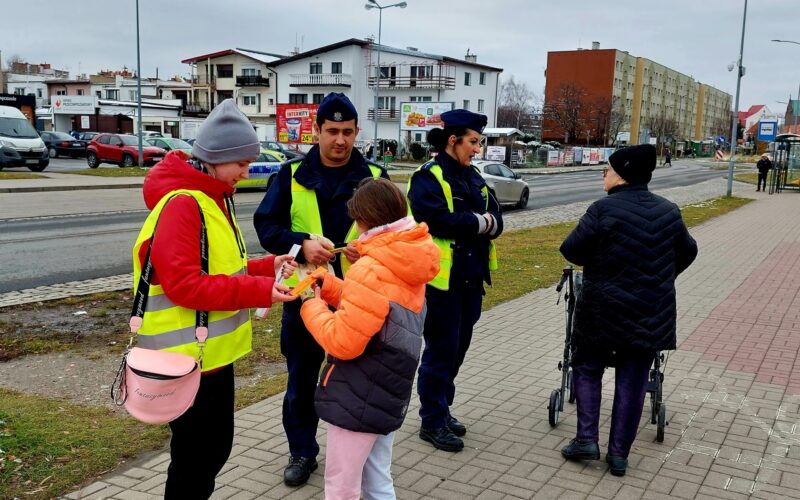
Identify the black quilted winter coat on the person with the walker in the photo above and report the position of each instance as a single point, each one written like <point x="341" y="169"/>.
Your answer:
<point x="632" y="245"/>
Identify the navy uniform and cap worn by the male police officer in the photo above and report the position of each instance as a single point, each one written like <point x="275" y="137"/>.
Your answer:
<point x="272" y="220"/>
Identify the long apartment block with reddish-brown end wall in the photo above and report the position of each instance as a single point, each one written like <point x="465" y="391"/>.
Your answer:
<point x="641" y="94"/>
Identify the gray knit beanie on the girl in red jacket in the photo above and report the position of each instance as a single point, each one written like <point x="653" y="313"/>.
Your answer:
<point x="226" y="136"/>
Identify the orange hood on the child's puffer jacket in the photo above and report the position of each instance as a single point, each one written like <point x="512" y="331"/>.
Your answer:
<point x="395" y="249"/>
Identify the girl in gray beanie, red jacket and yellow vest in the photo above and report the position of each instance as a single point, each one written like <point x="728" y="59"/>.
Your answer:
<point x="190" y="198"/>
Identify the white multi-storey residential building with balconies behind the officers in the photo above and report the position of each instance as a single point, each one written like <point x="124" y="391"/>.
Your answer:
<point x="350" y="67"/>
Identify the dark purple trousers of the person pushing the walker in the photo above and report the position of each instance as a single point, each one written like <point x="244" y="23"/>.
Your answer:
<point x="630" y="386"/>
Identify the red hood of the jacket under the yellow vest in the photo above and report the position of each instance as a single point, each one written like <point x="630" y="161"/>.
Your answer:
<point x="175" y="172"/>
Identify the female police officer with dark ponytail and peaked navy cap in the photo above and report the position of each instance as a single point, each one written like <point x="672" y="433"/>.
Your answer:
<point x="463" y="217"/>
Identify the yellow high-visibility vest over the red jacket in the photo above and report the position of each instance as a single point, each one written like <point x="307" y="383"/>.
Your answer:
<point x="169" y="327"/>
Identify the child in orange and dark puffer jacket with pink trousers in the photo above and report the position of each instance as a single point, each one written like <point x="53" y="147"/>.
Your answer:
<point x="373" y="340"/>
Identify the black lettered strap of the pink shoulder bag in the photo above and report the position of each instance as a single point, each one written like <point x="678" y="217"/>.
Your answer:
<point x="143" y="289"/>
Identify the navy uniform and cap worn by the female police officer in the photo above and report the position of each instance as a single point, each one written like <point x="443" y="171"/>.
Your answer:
<point x="452" y="313"/>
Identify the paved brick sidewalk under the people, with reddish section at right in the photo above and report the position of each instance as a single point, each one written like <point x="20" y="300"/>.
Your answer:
<point x="731" y="392"/>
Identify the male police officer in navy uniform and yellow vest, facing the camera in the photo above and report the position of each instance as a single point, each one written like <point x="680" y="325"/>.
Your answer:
<point x="307" y="200"/>
